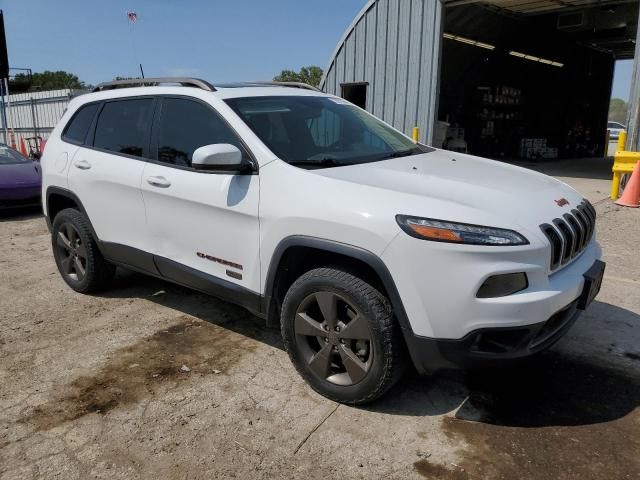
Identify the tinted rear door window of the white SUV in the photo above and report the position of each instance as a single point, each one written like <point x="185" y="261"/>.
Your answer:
<point x="123" y="126"/>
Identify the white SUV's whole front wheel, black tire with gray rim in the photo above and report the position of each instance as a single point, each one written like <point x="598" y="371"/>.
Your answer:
<point x="382" y="358"/>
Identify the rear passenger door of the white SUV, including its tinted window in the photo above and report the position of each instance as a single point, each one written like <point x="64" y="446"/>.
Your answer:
<point x="106" y="170"/>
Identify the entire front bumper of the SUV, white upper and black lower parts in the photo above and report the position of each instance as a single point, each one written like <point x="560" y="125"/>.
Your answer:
<point x="447" y="325"/>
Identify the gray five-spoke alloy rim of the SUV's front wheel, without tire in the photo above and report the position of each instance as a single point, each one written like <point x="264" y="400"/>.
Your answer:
<point x="334" y="338"/>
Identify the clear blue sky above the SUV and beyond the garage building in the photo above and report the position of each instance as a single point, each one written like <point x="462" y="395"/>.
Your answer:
<point x="219" y="40"/>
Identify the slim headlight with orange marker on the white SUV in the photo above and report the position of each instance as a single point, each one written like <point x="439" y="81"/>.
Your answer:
<point x="443" y="231"/>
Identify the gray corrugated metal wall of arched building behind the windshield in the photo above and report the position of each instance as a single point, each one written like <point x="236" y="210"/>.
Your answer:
<point x="394" y="46"/>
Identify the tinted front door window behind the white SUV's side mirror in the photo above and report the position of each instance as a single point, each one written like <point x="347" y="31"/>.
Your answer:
<point x="186" y="125"/>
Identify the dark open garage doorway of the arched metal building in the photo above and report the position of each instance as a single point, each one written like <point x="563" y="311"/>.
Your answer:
<point x="531" y="78"/>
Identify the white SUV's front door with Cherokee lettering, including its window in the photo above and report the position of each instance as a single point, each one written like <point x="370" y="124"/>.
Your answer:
<point x="204" y="221"/>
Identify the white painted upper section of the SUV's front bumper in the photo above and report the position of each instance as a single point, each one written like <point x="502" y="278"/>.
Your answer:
<point x="438" y="282"/>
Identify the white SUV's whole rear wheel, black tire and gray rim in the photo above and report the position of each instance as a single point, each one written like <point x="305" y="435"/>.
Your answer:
<point x="77" y="256"/>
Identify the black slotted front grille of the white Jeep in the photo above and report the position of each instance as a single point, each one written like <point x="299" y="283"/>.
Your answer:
<point x="570" y="234"/>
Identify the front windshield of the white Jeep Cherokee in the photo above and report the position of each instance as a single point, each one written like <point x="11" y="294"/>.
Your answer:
<point x="320" y="132"/>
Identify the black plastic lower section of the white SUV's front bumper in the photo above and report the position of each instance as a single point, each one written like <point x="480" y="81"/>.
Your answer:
<point x="491" y="346"/>
